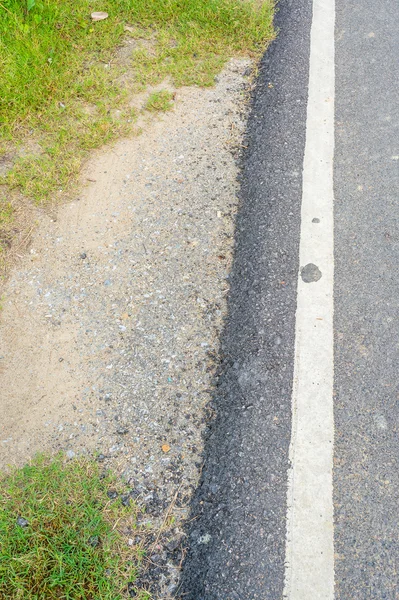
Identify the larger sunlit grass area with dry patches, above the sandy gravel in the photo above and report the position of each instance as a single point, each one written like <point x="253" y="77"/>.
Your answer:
<point x="64" y="89"/>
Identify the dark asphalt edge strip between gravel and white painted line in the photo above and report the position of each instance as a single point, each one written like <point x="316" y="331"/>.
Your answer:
<point x="237" y="537"/>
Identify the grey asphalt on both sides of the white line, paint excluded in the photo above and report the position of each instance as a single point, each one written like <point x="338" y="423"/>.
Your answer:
<point x="238" y="536"/>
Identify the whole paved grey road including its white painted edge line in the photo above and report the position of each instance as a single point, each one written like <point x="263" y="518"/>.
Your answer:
<point x="299" y="496"/>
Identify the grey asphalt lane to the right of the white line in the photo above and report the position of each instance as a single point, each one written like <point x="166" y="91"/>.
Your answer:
<point x="367" y="301"/>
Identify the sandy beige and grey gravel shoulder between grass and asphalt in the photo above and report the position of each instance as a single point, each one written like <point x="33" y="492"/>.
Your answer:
<point x="109" y="327"/>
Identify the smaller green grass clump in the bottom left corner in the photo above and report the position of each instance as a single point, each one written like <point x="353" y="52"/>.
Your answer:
<point x="59" y="536"/>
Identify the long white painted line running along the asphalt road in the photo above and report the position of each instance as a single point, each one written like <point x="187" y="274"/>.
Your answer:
<point x="309" y="550"/>
